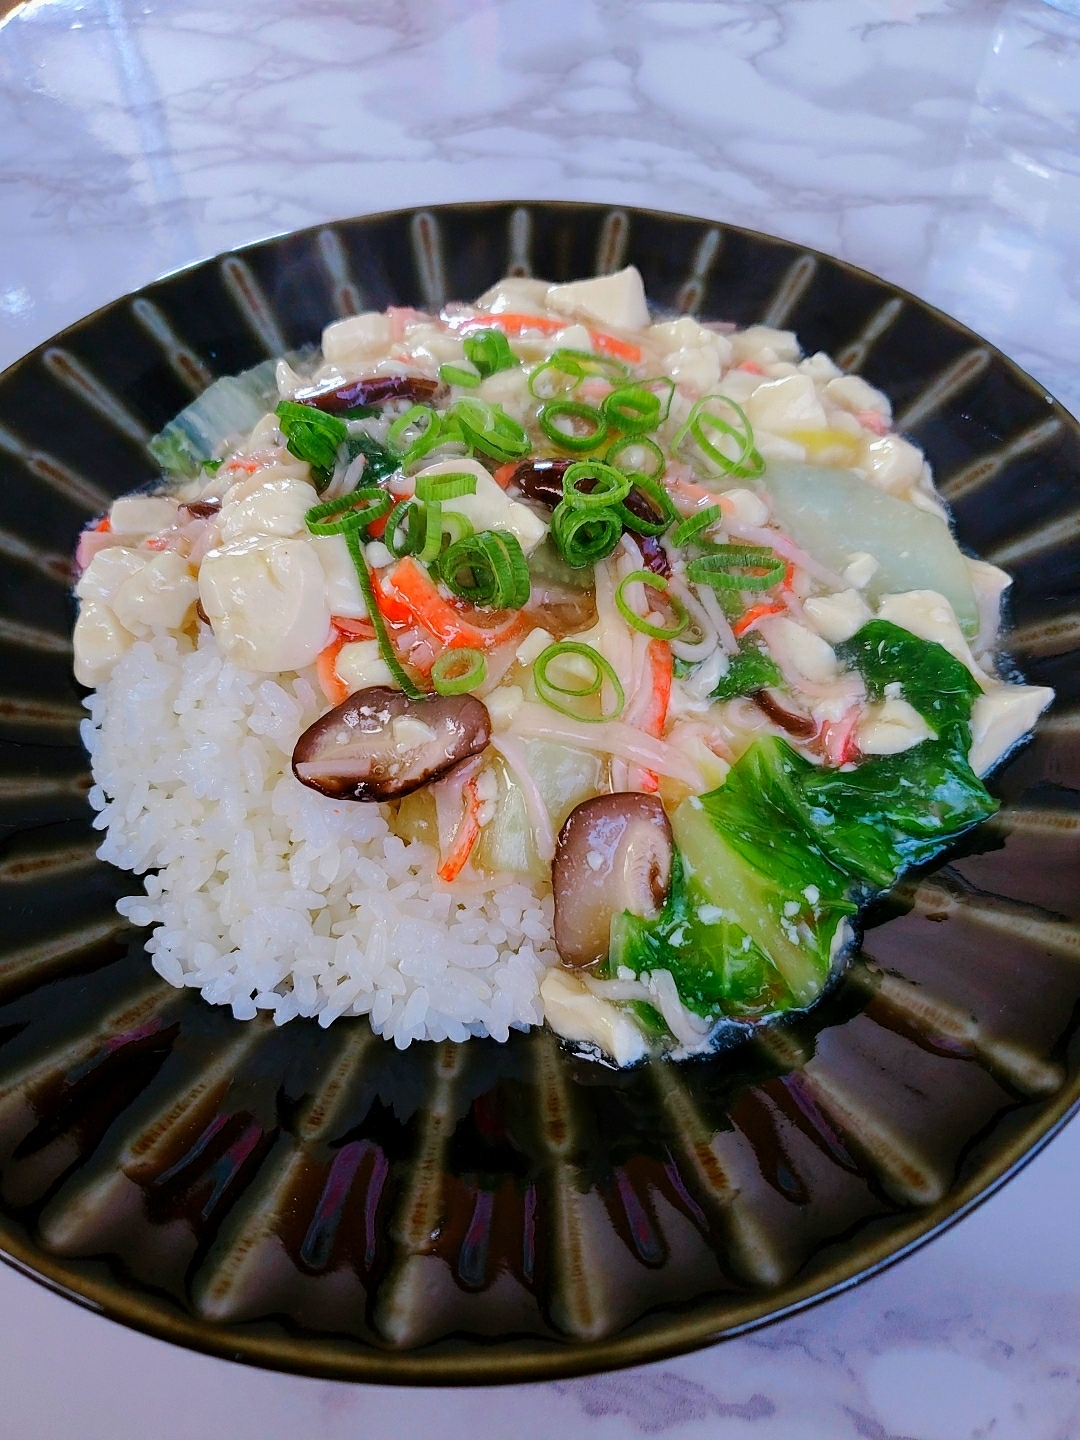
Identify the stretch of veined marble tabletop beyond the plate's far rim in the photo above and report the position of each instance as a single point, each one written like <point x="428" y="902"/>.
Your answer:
<point x="934" y="143"/>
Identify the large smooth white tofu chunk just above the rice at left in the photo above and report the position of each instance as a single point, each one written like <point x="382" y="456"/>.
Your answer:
<point x="266" y="598"/>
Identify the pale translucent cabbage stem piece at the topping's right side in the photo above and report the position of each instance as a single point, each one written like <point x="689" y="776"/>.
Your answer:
<point x="833" y="515"/>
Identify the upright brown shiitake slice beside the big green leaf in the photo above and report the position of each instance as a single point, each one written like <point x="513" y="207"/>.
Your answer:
<point x="614" y="855"/>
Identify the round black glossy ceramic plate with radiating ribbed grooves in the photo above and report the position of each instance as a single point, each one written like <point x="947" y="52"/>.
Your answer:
<point x="318" y="1202"/>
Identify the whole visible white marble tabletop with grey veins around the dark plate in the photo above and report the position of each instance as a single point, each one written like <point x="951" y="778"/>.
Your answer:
<point x="935" y="142"/>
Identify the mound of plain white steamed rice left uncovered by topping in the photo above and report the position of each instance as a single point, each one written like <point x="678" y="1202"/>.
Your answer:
<point x="270" y="896"/>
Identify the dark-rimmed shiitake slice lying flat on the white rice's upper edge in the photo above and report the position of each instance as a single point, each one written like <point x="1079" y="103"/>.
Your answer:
<point x="381" y="745"/>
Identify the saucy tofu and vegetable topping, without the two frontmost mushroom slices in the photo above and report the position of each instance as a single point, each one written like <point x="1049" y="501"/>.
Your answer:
<point x="761" y="518"/>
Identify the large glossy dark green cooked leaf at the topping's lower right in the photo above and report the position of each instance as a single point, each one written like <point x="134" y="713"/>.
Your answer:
<point x="784" y="849"/>
